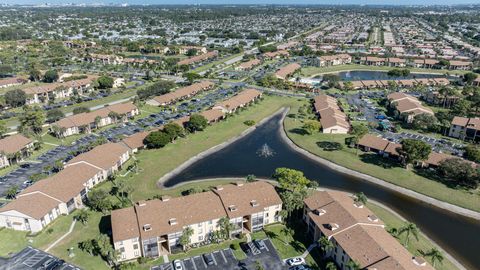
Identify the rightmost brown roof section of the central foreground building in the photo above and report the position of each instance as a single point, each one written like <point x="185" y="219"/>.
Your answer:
<point x="247" y="198"/>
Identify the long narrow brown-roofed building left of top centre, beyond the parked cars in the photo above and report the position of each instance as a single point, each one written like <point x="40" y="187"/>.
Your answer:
<point x="179" y="94"/>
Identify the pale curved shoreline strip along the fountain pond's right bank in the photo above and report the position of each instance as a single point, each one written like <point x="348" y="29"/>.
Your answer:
<point x="404" y="191"/>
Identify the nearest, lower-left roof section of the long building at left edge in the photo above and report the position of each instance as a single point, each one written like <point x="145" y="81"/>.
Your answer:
<point x="36" y="205"/>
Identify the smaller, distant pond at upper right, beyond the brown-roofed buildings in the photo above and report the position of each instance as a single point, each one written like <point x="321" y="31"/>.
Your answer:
<point x="357" y="75"/>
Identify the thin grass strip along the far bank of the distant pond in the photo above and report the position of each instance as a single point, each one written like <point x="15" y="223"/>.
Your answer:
<point x="313" y="71"/>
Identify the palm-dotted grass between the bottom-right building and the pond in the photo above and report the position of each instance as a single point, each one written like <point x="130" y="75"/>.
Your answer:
<point x="393" y="221"/>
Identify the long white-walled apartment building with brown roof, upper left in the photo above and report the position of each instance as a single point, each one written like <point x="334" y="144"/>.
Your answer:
<point x="45" y="92"/>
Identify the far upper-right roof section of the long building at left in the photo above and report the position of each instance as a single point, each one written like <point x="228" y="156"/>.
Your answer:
<point x="104" y="156"/>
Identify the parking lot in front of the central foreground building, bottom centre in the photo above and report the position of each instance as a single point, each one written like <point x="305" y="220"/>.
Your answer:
<point x="225" y="259"/>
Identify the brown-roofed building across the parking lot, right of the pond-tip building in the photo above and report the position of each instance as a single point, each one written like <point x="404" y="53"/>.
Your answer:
<point x="407" y="106"/>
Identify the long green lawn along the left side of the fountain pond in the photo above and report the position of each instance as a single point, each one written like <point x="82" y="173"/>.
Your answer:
<point x="172" y="155"/>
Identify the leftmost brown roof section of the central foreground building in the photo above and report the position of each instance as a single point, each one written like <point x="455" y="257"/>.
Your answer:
<point x="124" y="224"/>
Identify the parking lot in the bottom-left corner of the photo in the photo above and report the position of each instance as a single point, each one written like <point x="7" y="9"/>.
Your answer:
<point x="31" y="258"/>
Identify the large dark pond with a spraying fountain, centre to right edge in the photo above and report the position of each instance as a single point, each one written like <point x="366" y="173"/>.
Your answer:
<point x="262" y="151"/>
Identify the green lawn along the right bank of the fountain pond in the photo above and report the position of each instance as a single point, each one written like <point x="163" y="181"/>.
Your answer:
<point x="376" y="166"/>
